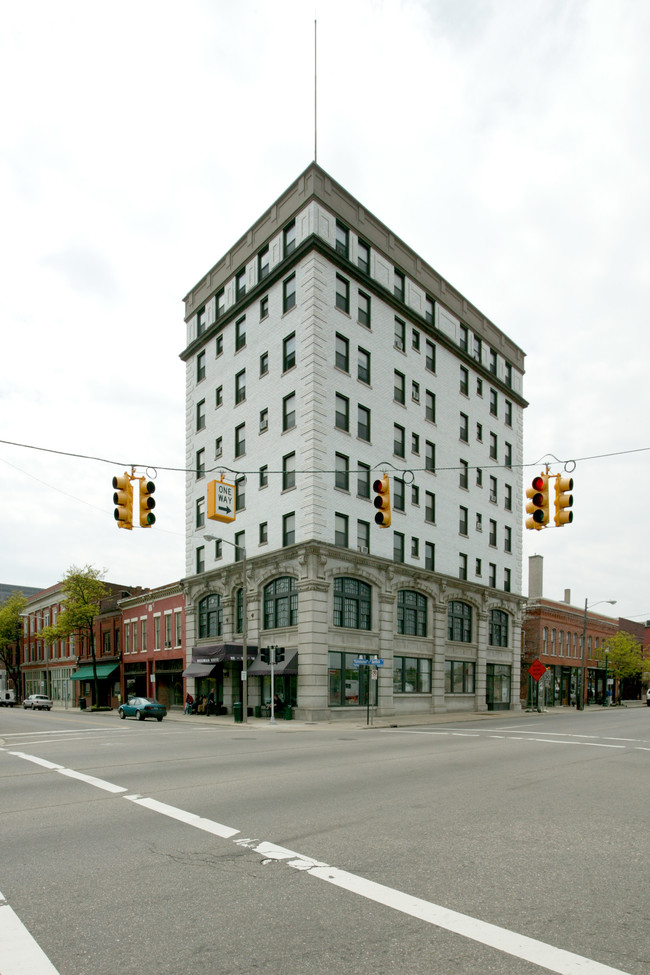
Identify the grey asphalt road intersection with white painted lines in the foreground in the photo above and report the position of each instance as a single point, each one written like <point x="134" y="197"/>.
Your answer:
<point x="514" y="845"/>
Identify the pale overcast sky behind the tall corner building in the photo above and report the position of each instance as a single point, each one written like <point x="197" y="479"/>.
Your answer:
<point x="506" y="142"/>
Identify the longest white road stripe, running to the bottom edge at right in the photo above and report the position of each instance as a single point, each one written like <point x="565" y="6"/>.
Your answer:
<point x="537" y="952"/>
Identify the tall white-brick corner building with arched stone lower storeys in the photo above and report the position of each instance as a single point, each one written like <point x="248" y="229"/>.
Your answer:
<point x="322" y="352"/>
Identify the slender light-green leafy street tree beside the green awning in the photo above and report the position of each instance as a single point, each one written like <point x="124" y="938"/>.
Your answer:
<point x="83" y="591"/>
